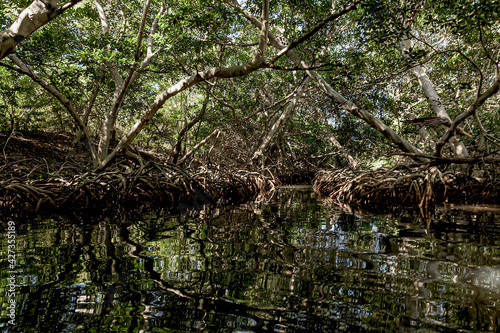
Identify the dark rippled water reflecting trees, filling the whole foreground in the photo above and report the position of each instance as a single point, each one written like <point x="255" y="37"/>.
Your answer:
<point x="295" y="264"/>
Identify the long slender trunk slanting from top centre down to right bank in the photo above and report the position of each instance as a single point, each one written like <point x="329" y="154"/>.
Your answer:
<point x="348" y="105"/>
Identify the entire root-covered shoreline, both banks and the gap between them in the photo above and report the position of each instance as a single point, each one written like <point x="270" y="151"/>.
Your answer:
<point x="43" y="172"/>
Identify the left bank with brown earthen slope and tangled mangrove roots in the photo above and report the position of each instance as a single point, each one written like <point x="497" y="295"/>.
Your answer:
<point x="42" y="173"/>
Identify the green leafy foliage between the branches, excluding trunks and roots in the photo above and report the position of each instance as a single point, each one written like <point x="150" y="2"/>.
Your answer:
<point x="359" y="55"/>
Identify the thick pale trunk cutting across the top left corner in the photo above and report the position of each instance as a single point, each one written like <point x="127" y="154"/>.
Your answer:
<point x="31" y="18"/>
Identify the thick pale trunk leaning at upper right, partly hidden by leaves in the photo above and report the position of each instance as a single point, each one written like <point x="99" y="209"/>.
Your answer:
<point x="432" y="96"/>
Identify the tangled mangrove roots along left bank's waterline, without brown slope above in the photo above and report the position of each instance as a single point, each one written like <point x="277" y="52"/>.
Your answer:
<point x="43" y="187"/>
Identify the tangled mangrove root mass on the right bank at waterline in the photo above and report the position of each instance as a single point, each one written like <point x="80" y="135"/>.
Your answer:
<point x="388" y="189"/>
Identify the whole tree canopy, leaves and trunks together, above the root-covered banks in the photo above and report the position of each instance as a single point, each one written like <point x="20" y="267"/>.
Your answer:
<point x="285" y="84"/>
